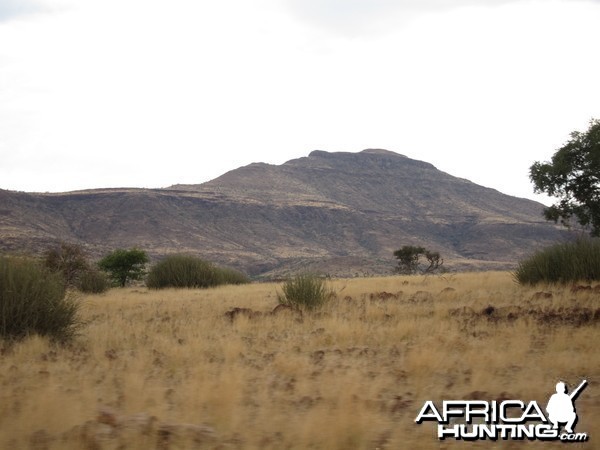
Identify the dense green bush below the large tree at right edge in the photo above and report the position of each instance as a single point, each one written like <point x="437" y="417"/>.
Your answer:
<point x="567" y="262"/>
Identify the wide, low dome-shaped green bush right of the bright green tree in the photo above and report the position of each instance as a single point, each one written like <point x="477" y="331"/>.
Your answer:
<point x="186" y="271"/>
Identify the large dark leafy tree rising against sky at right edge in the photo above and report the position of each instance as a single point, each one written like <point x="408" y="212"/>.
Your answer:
<point x="573" y="175"/>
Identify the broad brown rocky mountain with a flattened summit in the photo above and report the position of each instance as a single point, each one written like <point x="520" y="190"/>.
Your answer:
<point x="340" y="213"/>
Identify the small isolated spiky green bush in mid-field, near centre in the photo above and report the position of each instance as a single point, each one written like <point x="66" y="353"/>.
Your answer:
<point x="305" y="291"/>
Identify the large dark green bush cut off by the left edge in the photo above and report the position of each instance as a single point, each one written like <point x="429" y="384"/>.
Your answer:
<point x="33" y="301"/>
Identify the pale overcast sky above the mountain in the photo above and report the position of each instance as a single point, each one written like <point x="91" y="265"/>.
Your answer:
<point x="149" y="93"/>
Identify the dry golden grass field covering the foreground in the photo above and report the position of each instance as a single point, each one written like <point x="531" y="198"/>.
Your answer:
<point x="167" y="369"/>
